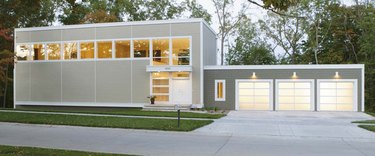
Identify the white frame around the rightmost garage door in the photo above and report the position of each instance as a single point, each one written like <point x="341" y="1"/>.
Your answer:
<point x="355" y="92"/>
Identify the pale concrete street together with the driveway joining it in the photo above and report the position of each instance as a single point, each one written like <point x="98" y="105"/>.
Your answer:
<point x="219" y="138"/>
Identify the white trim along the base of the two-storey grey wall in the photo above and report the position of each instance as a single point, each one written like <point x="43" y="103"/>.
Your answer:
<point x="89" y="104"/>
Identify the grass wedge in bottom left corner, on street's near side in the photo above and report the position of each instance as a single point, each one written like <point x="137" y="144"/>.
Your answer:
<point x="33" y="151"/>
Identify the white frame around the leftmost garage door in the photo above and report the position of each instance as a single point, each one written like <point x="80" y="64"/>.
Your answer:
<point x="237" y="107"/>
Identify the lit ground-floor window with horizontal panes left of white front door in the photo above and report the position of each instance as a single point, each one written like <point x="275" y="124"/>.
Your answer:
<point x="160" y="86"/>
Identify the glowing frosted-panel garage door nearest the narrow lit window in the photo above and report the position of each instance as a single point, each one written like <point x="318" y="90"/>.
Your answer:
<point x="254" y="95"/>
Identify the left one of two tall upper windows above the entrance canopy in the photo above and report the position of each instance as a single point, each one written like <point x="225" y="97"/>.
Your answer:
<point x="160" y="51"/>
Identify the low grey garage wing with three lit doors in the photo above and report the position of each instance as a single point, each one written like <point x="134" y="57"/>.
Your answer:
<point x="287" y="87"/>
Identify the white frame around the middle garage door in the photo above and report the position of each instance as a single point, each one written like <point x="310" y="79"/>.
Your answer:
<point x="312" y="95"/>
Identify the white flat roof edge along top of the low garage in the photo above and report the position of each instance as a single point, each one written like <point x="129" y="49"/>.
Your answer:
<point x="305" y="66"/>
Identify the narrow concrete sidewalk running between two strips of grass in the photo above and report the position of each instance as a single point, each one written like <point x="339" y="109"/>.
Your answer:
<point x="105" y="115"/>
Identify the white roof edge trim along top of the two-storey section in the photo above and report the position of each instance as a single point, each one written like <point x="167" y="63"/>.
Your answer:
<point x="130" y="23"/>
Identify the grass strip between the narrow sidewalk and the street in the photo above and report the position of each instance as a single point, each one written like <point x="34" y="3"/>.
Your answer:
<point x="94" y="121"/>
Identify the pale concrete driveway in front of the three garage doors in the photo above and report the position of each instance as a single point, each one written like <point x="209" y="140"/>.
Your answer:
<point x="288" y="123"/>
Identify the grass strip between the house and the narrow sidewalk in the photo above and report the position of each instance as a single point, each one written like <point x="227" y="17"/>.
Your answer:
<point x="132" y="112"/>
